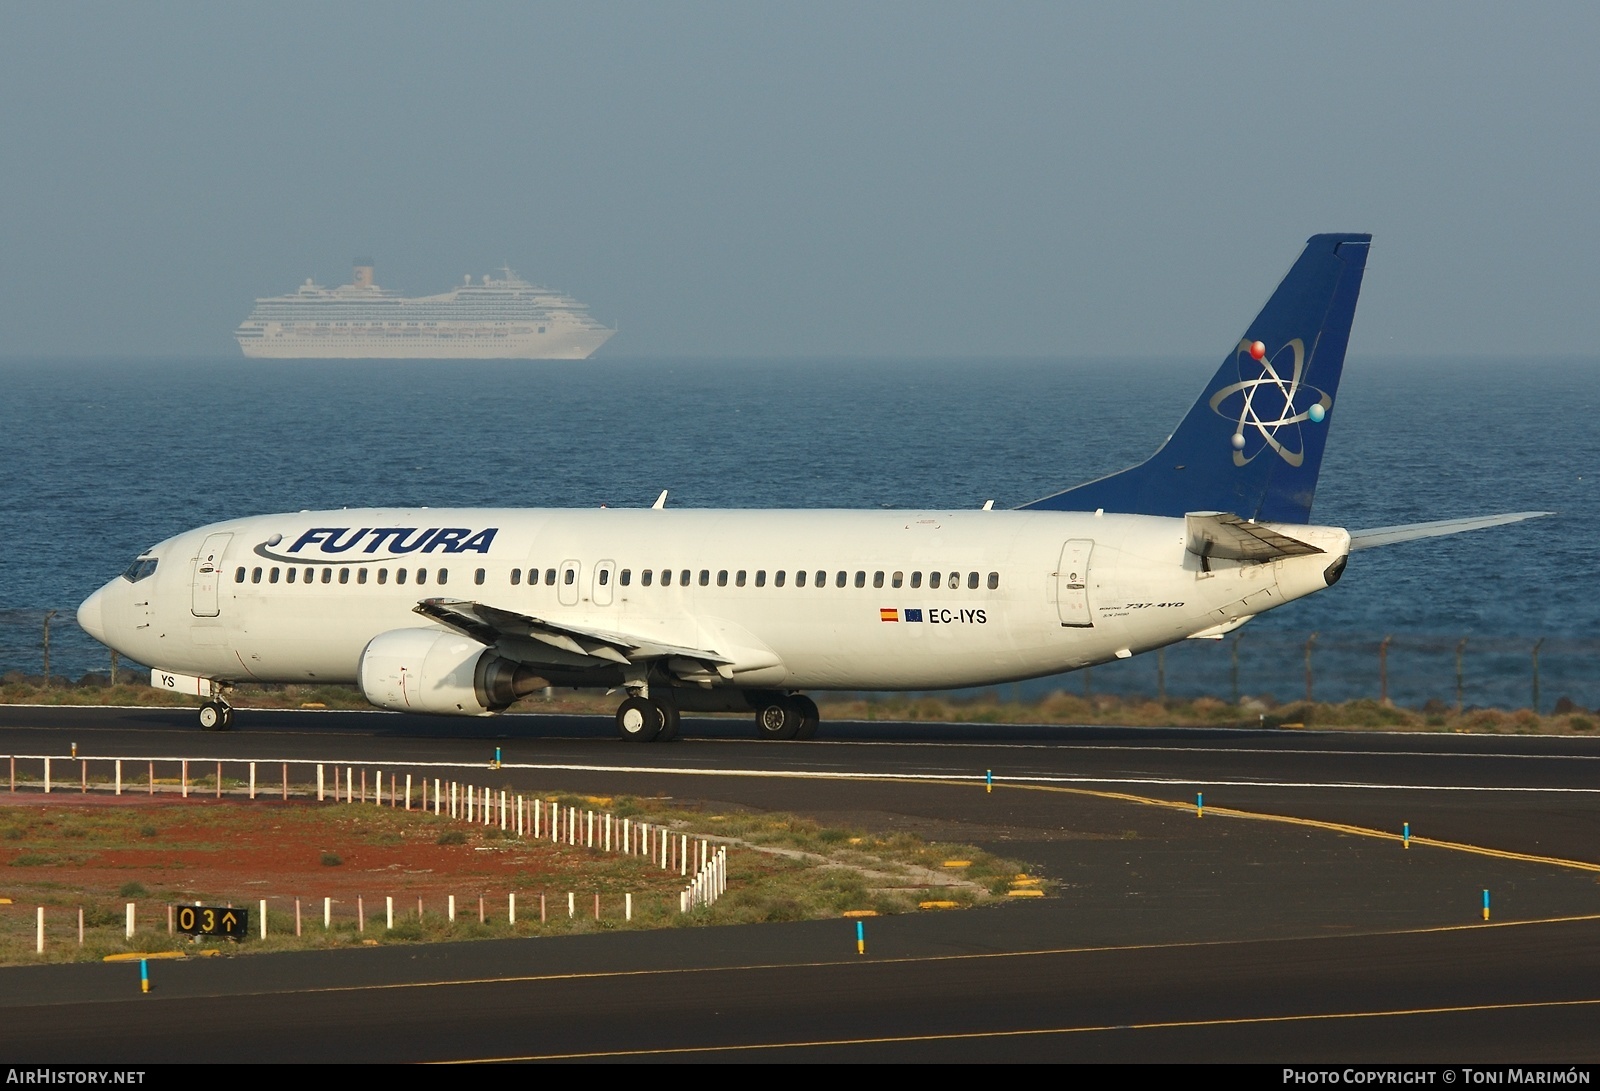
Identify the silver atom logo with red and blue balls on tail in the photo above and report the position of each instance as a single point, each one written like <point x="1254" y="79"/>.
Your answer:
<point x="1273" y="402"/>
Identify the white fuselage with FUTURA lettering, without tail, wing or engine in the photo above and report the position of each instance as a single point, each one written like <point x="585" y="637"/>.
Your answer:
<point x="222" y="602"/>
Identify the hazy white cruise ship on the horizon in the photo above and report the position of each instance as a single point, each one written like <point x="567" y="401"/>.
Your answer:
<point x="492" y="319"/>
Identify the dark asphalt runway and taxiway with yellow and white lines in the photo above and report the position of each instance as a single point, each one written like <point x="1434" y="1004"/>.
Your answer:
<point x="1286" y="925"/>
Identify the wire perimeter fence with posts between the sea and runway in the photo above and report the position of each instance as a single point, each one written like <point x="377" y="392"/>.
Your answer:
<point x="1278" y="666"/>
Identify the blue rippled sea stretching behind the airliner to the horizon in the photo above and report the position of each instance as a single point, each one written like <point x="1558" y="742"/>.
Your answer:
<point x="106" y="458"/>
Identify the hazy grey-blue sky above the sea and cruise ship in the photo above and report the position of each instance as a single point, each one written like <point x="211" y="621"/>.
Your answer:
<point x="806" y="178"/>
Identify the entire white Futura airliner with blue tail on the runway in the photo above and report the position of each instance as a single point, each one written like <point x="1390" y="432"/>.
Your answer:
<point x="462" y="612"/>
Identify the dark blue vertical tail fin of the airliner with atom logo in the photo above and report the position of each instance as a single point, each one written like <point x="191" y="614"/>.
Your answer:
<point x="1252" y="446"/>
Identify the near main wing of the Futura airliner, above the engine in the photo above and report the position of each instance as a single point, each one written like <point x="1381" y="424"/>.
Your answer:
<point x="492" y="625"/>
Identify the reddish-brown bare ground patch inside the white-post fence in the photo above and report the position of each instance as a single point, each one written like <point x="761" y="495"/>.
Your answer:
<point x="201" y="849"/>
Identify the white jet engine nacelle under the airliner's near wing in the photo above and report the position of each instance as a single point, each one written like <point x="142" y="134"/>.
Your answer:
<point x="441" y="673"/>
